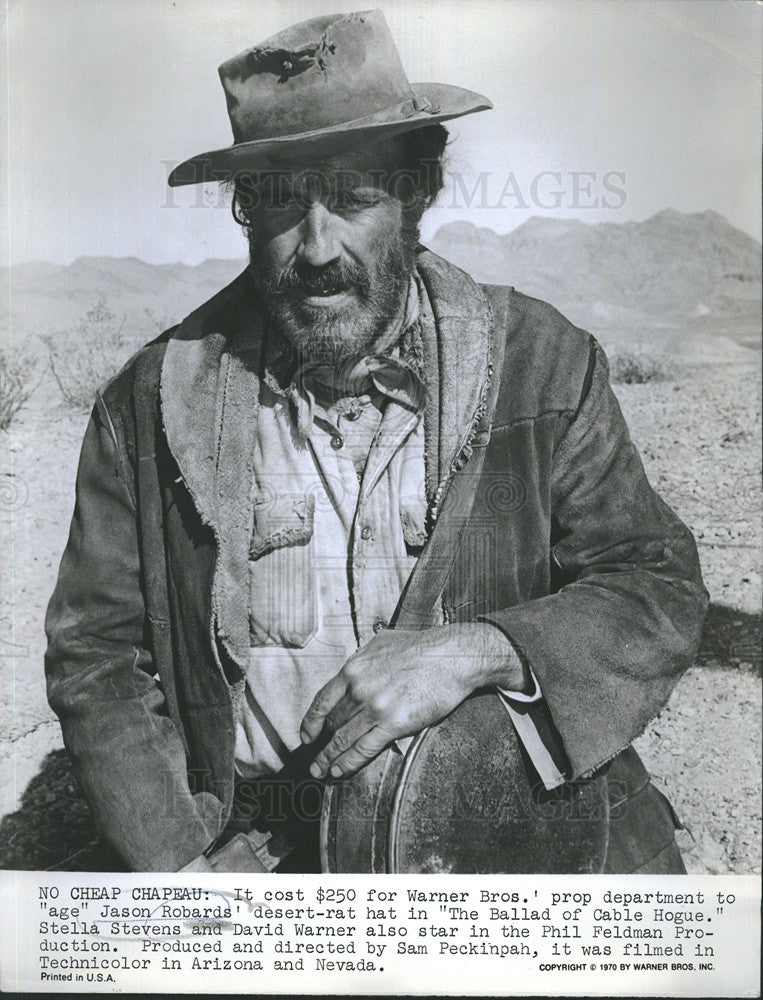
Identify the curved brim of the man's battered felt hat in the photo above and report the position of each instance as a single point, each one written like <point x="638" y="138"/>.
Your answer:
<point x="446" y="103"/>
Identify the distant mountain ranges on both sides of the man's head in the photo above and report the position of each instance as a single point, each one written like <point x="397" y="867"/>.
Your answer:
<point x="670" y="269"/>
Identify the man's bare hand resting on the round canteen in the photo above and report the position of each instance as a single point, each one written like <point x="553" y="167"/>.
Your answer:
<point x="402" y="682"/>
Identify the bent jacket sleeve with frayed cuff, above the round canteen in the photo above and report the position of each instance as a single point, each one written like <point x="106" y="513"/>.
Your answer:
<point x="611" y="643"/>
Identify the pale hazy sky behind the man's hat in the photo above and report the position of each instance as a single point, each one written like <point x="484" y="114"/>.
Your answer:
<point x="102" y="92"/>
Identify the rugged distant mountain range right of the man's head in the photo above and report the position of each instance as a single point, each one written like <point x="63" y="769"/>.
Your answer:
<point x="671" y="265"/>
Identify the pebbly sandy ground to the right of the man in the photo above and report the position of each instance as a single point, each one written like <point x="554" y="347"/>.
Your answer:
<point x="700" y="440"/>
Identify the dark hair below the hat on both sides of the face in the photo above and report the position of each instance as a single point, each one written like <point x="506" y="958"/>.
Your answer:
<point x="416" y="159"/>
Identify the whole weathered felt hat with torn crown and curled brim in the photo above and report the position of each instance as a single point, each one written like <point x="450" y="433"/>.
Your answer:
<point x="303" y="93"/>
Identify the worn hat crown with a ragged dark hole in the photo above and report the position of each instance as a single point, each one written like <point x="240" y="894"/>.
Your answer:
<point x="314" y="75"/>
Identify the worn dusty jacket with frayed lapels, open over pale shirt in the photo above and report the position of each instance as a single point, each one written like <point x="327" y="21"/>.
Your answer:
<point x="591" y="575"/>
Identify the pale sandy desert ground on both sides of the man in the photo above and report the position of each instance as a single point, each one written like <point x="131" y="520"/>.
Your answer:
<point x="698" y="428"/>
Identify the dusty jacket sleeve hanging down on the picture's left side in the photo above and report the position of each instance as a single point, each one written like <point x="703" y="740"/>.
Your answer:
<point x="125" y="750"/>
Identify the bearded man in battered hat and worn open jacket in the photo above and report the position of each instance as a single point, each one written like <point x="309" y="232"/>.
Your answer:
<point x="258" y="488"/>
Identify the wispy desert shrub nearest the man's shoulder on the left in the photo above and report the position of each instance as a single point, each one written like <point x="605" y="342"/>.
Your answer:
<point x="83" y="359"/>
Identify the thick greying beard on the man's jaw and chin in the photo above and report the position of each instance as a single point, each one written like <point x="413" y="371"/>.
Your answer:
<point x="345" y="333"/>
